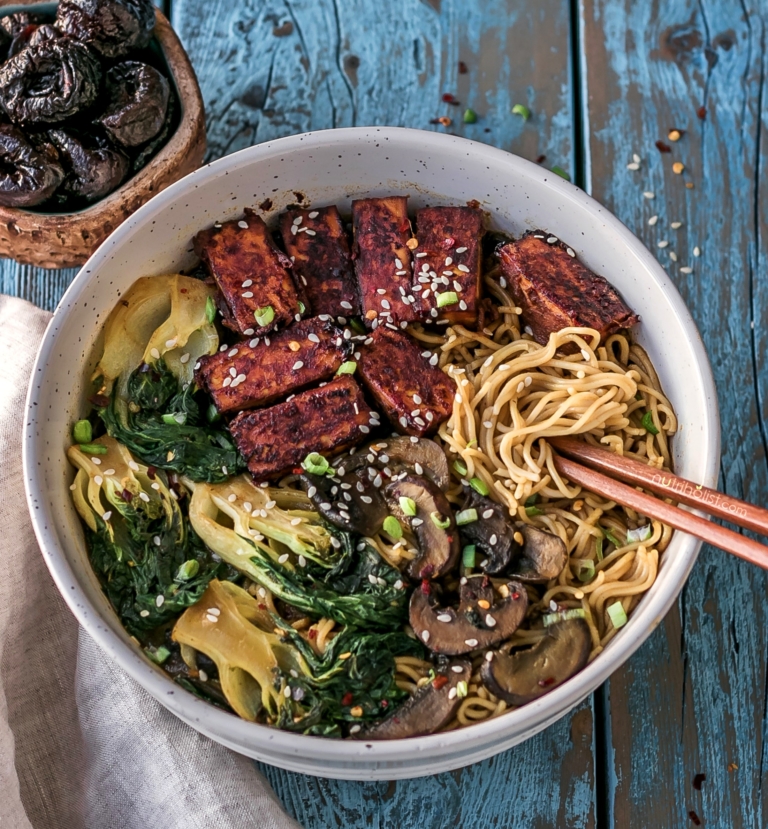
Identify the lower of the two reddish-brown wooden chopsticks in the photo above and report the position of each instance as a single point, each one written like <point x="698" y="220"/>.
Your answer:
<point x="669" y="514"/>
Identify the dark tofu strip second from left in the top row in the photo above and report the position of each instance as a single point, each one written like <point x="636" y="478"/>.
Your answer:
<point x="322" y="263"/>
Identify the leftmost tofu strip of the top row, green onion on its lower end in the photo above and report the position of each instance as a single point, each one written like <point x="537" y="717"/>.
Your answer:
<point x="251" y="274"/>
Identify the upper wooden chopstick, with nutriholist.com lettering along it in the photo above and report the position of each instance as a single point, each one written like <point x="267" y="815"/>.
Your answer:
<point x="666" y="484"/>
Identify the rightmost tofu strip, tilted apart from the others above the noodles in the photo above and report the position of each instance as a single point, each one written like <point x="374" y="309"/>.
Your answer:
<point x="556" y="291"/>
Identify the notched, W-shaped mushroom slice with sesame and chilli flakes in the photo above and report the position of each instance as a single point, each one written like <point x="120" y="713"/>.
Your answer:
<point x="478" y="623"/>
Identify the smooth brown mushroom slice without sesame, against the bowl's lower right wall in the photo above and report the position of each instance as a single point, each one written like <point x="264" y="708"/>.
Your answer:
<point x="527" y="675"/>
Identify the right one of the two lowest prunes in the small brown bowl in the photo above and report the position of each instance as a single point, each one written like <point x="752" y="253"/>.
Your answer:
<point x="93" y="167"/>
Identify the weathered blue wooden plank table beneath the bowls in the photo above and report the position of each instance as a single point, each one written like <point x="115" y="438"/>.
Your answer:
<point x="604" y="80"/>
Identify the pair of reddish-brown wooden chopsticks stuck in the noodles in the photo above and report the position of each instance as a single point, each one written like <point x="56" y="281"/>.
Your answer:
<point x="666" y="484"/>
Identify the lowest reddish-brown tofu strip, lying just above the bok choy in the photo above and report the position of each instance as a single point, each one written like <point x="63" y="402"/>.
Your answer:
<point x="326" y="420"/>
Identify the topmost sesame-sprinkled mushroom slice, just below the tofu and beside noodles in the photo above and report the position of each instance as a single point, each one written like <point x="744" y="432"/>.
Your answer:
<point x="420" y="456"/>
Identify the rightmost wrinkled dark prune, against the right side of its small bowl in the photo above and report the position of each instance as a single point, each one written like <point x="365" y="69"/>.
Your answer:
<point x="138" y="102"/>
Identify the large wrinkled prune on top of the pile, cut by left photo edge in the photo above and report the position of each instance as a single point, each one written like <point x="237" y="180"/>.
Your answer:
<point x="49" y="82"/>
